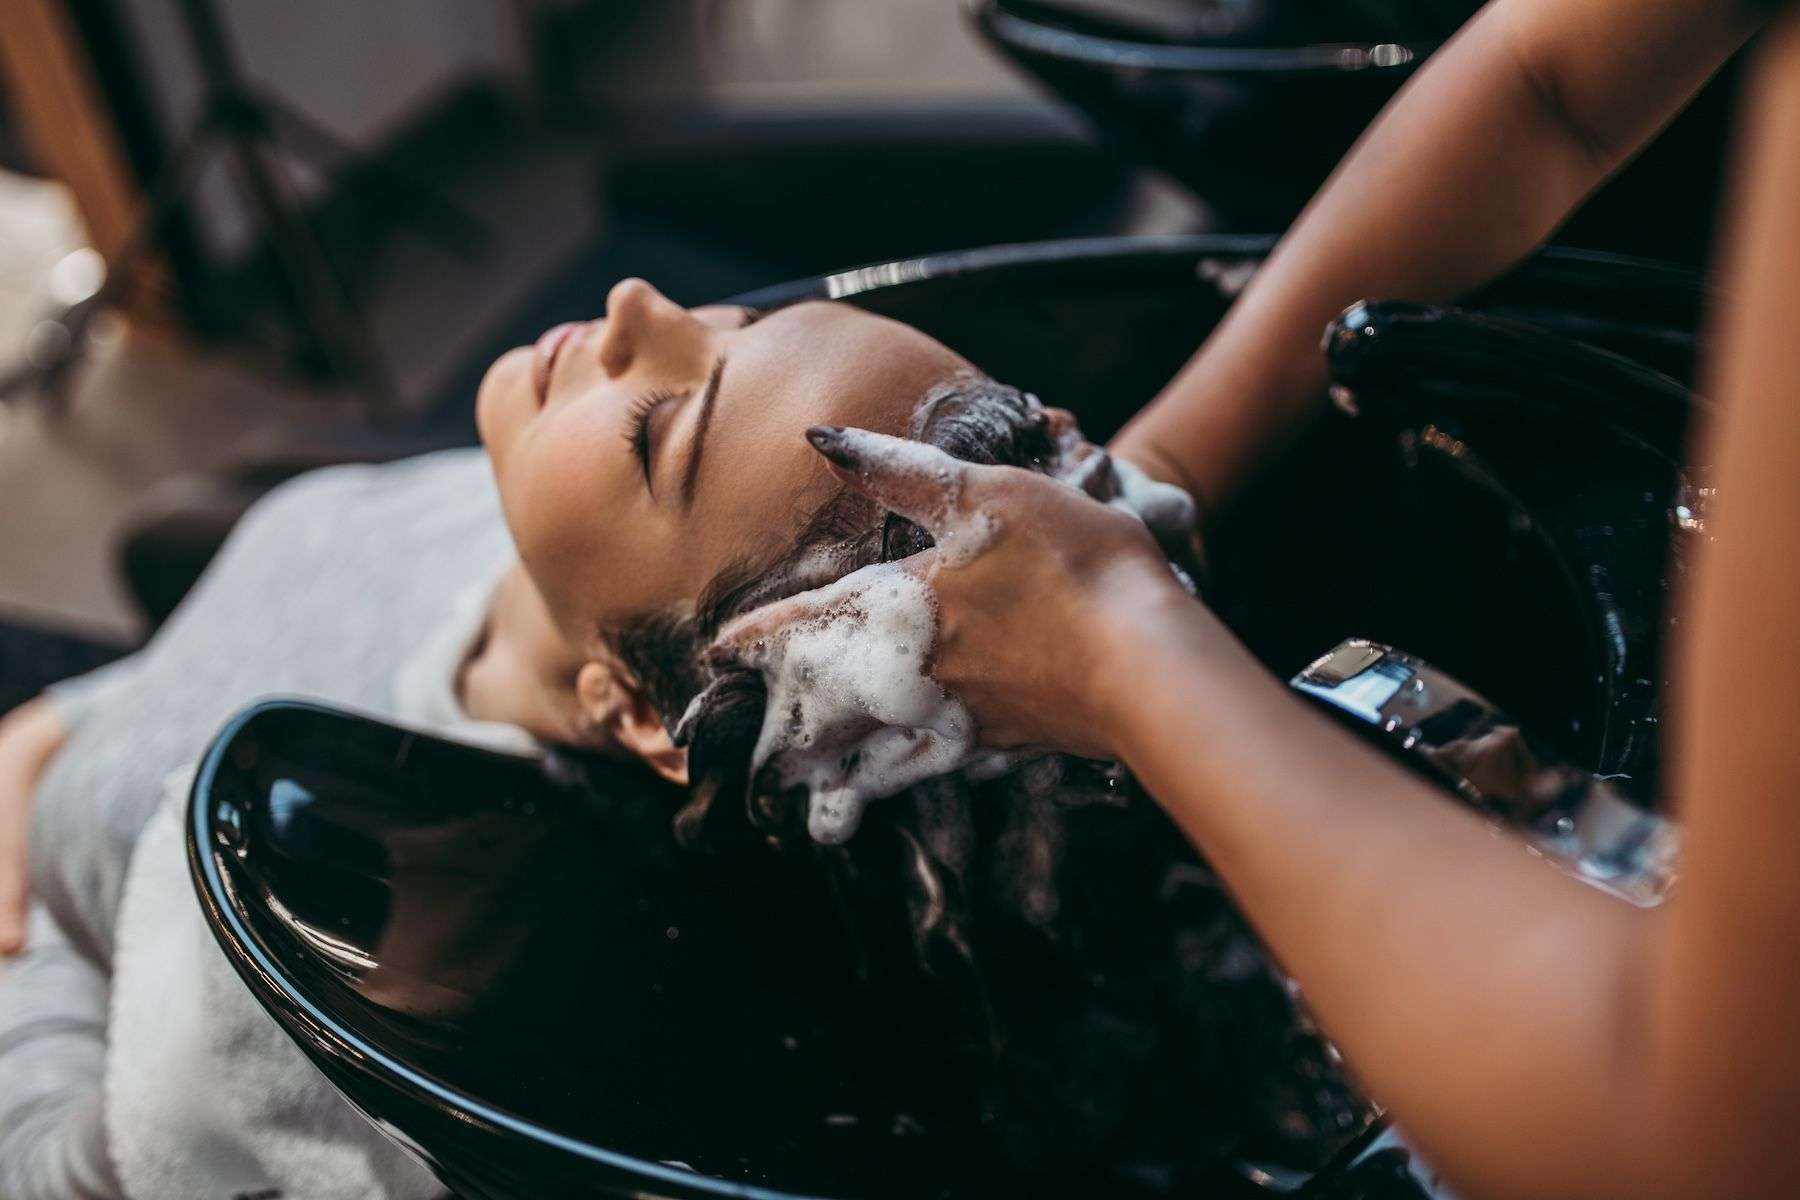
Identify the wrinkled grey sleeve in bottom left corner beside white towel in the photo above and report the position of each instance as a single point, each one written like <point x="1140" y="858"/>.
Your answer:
<point x="53" y="1053"/>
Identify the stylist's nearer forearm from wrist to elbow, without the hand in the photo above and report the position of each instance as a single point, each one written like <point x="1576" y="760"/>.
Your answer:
<point x="1414" y="929"/>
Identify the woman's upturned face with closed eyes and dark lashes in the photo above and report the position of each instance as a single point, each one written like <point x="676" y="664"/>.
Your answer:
<point x="642" y="454"/>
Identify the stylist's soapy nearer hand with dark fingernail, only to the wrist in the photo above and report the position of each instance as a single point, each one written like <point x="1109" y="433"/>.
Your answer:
<point x="1032" y="578"/>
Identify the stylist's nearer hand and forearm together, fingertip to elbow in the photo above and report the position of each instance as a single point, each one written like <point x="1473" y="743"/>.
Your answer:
<point x="1482" y="996"/>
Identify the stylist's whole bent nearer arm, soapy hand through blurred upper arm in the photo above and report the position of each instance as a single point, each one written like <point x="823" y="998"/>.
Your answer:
<point x="1534" y="1037"/>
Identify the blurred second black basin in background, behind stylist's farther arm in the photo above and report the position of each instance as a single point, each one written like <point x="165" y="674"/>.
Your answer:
<point x="1252" y="103"/>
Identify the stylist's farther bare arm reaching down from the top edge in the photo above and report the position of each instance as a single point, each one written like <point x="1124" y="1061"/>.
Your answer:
<point x="1477" y="163"/>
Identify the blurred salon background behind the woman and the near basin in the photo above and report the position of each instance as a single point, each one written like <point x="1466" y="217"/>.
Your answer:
<point x="242" y="238"/>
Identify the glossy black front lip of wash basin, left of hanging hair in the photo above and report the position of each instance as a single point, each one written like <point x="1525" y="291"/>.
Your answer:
<point x="516" y="969"/>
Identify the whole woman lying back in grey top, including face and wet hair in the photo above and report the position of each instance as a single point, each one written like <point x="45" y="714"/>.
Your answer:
<point x="1070" y="956"/>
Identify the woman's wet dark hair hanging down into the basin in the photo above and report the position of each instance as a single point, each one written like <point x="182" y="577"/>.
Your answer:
<point x="1050" y="929"/>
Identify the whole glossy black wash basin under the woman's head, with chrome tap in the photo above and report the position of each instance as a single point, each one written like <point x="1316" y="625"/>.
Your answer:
<point x="591" y="1014"/>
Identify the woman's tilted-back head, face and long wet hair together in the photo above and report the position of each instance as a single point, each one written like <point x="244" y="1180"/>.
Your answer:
<point x="1083" y="969"/>
